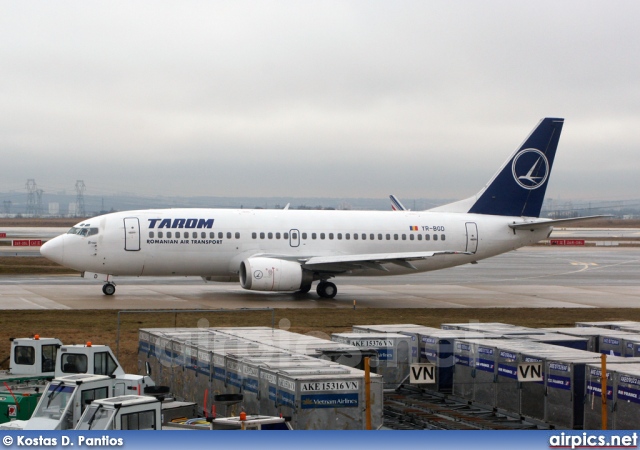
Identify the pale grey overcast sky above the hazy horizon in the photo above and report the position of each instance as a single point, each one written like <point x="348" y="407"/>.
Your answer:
<point x="423" y="99"/>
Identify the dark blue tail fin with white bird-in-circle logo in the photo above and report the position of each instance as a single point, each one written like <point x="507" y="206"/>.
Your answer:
<point x="518" y="188"/>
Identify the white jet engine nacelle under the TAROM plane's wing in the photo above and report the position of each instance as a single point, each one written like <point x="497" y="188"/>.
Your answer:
<point x="271" y="274"/>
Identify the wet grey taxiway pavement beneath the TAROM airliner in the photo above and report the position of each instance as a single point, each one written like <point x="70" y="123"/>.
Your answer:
<point x="543" y="277"/>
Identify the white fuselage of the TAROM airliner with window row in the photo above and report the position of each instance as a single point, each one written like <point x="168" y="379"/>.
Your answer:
<point x="214" y="242"/>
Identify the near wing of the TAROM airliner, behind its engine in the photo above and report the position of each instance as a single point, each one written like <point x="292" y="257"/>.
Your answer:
<point x="341" y="263"/>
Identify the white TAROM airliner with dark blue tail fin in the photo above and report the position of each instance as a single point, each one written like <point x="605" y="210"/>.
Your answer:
<point x="288" y="250"/>
